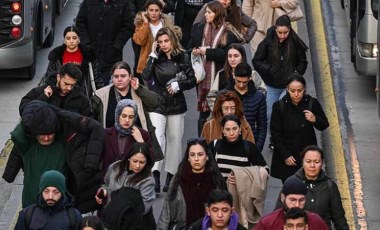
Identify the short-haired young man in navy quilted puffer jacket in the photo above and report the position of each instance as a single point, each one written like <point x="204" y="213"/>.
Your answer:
<point x="253" y="100"/>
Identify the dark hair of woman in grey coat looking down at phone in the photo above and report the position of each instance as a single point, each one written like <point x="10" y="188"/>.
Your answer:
<point x="137" y="147"/>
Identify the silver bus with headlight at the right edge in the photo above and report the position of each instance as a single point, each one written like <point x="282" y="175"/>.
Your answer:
<point x="361" y="16"/>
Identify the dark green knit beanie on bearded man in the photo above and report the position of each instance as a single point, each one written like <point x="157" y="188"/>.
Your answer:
<point x="53" y="178"/>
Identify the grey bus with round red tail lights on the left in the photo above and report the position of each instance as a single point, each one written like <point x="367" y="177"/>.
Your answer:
<point x="26" y="25"/>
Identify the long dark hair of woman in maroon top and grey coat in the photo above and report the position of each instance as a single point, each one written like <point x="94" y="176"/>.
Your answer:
<point x="211" y="167"/>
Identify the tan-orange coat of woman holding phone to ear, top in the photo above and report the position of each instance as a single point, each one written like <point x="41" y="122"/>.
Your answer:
<point x="144" y="38"/>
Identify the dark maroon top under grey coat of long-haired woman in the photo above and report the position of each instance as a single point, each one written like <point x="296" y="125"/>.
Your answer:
<point x="195" y="188"/>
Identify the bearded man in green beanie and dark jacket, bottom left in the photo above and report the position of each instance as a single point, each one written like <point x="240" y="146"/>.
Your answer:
<point x="54" y="206"/>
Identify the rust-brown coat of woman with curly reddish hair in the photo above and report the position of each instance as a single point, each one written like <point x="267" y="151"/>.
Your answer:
<point x="212" y="130"/>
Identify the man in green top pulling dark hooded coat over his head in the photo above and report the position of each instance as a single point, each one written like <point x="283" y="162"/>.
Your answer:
<point x="50" y="138"/>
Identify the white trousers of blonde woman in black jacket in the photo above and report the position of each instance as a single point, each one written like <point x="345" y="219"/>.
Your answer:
<point x="169" y="133"/>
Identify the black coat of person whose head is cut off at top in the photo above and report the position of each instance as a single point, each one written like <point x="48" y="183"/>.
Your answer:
<point x="105" y="27"/>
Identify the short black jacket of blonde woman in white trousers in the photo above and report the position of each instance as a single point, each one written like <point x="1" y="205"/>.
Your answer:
<point x="162" y="70"/>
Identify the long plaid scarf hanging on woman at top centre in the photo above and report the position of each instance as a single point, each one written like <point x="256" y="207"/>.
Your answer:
<point x="211" y="38"/>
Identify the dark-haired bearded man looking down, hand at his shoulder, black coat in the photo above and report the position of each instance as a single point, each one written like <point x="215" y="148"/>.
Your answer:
<point x="60" y="89"/>
